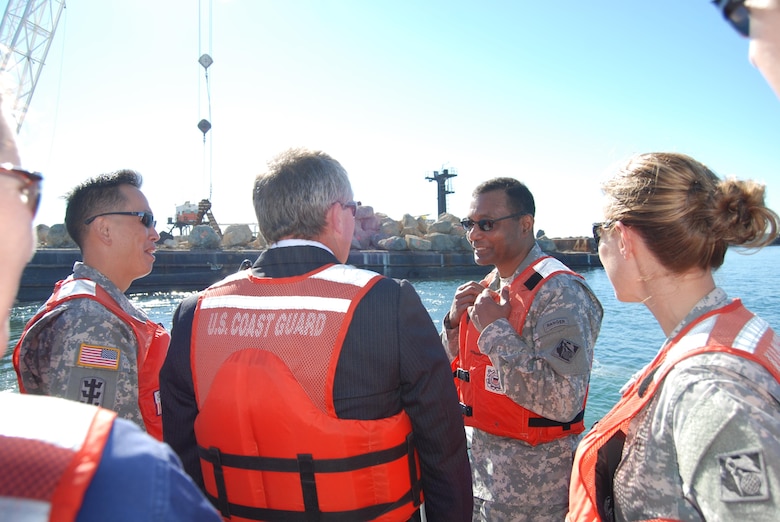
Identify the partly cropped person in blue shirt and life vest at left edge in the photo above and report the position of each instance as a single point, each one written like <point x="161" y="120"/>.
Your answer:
<point x="62" y="460"/>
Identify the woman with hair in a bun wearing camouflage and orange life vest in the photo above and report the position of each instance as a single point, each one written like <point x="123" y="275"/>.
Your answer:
<point x="696" y="434"/>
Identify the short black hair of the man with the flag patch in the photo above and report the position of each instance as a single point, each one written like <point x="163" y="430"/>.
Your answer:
<point x="94" y="196"/>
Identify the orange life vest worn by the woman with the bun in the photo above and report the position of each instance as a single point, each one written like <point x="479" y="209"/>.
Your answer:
<point x="599" y="453"/>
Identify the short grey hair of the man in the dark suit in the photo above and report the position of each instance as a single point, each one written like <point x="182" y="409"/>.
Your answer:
<point x="292" y="198"/>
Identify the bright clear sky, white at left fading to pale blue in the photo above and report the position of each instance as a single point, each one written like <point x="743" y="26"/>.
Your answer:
<point x="551" y="93"/>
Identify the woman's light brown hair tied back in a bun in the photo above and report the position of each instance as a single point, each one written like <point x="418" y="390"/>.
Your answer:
<point x="686" y="214"/>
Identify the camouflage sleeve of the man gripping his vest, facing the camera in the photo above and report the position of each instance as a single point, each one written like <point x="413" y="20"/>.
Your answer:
<point x="546" y="367"/>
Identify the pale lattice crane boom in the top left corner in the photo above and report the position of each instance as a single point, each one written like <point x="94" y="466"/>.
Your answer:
<point x="26" y="33"/>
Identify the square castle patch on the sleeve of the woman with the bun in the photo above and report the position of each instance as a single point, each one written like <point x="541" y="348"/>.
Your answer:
<point x="743" y="476"/>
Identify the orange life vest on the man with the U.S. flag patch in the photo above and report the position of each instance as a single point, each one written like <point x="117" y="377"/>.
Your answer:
<point x="151" y="337"/>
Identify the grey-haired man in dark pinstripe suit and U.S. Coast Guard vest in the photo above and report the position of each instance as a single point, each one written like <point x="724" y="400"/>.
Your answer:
<point x="307" y="385"/>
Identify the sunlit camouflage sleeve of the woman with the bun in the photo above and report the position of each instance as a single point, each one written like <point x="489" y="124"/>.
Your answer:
<point x="727" y="439"/>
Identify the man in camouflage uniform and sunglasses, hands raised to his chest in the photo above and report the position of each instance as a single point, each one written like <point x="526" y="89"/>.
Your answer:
<point x="544" y="366"/>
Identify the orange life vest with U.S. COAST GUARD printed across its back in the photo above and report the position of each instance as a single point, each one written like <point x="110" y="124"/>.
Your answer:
<point x="264" y="355"/>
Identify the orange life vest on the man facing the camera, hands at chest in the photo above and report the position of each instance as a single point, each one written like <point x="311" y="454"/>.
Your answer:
<point x="483" y="402"/>
